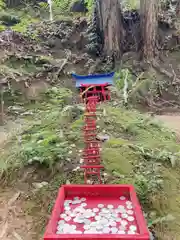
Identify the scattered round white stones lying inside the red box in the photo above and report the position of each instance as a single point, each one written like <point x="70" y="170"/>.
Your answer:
<point x="101" y="219"/>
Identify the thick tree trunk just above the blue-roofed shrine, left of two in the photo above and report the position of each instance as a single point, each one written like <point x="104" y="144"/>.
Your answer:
<point x="110" y="24"/>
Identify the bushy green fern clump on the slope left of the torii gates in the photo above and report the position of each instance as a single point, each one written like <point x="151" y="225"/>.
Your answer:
<point x="45" y="147"/>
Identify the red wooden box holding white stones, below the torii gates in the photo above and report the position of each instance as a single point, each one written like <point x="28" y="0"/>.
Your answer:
<point x="99" y="193"/>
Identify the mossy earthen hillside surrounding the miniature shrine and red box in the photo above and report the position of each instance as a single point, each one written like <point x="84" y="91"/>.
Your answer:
<point x="41" y="140"/>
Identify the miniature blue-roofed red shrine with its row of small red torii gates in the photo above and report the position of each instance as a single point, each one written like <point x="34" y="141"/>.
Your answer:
<point x="93" y="89"/>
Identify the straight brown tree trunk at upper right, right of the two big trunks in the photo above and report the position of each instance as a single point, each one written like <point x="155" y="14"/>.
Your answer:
<point x="149" y="27"/>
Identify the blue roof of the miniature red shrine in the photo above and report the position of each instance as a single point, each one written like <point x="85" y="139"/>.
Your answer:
<point x="94" y="79"/>
